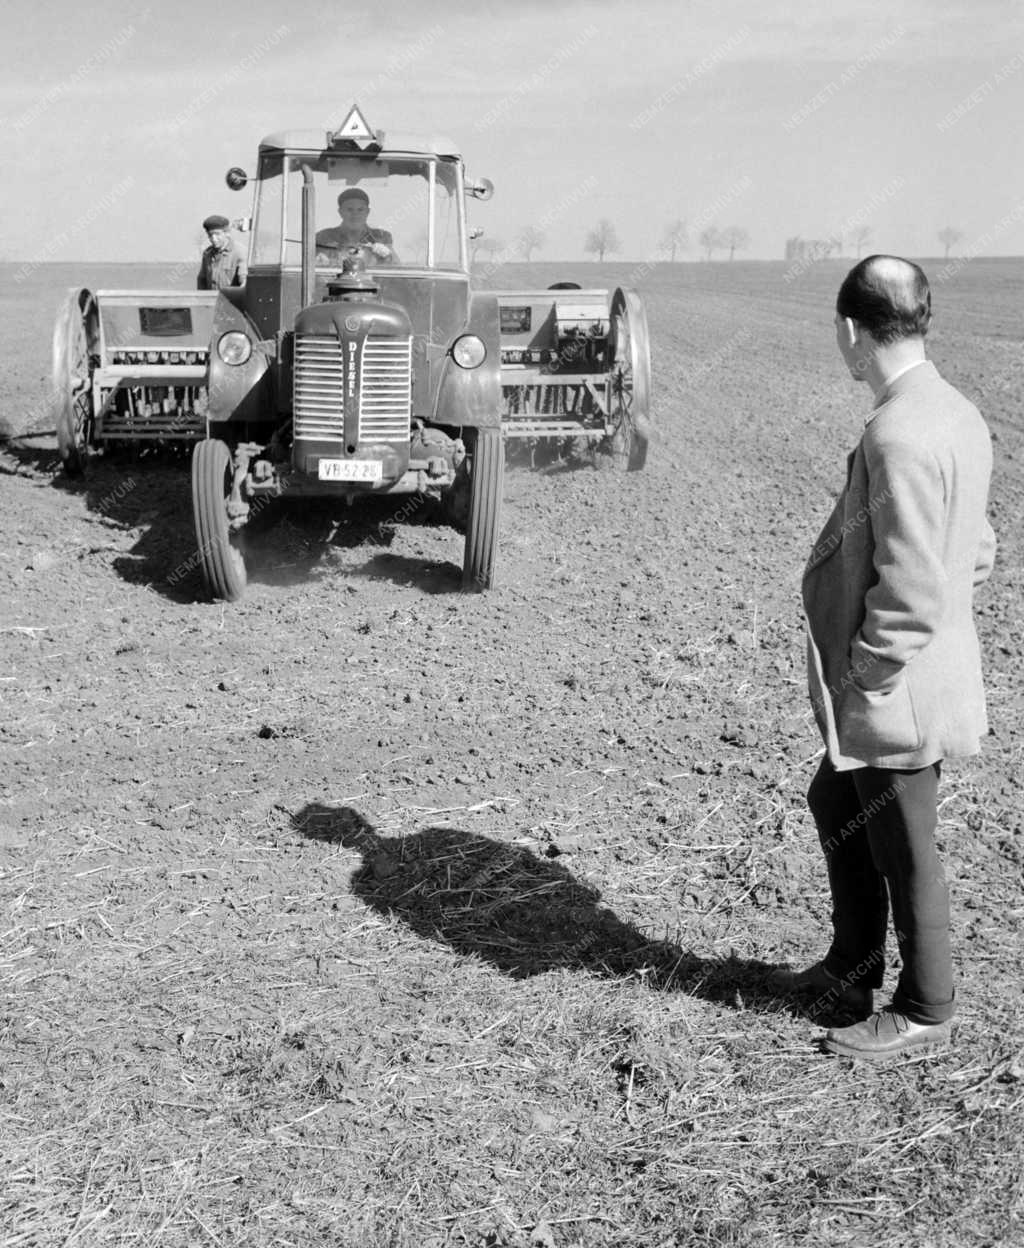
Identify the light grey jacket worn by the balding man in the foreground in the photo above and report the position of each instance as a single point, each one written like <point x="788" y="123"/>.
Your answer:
<point x="895" y="667"/>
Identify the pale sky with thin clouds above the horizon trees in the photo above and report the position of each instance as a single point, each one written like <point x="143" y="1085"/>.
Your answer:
<point x="899" y="117"/>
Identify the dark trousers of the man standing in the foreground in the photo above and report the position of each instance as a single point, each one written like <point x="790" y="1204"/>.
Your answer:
<point x="877" y="829"/>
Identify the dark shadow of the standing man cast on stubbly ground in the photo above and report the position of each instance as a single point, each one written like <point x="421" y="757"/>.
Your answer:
<point x="523" y="914"/>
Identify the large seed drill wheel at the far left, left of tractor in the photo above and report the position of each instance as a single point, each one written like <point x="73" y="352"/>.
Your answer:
<point x="77" y="354"/>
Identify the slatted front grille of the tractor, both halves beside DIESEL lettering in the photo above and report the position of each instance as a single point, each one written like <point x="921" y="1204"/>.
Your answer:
<point x="385" y="389"/>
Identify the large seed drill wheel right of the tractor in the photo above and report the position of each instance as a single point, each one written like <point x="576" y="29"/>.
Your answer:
<point x="629" y="353"/>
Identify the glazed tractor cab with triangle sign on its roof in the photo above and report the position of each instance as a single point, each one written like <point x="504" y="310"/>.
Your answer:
<point x="396" y="203"/>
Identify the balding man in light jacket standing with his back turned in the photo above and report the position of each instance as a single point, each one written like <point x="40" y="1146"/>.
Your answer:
<point x="894" y="666"/>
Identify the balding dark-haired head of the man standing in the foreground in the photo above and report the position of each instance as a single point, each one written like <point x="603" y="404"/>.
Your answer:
<point x="889" y="298"/>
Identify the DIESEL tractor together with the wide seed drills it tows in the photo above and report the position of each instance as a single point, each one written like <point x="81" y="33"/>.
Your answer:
<point x="357" y="359"/>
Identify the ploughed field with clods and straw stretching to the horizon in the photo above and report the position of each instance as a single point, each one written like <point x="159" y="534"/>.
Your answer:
<point x="367" y="913"/>
